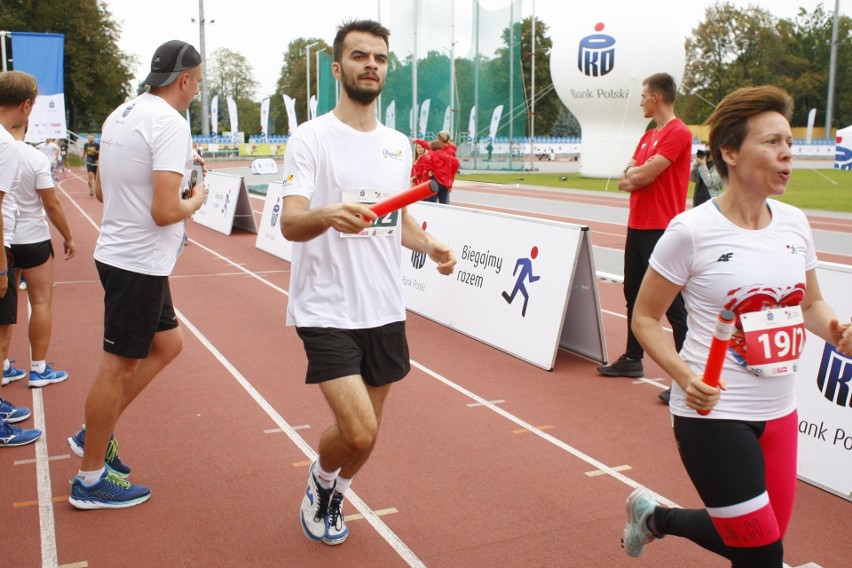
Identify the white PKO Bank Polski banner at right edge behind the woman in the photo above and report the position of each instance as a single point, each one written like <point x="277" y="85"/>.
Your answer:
<point x="823" y="386"/>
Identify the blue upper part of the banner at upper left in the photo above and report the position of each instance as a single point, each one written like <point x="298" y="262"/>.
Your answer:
<point x="43" y="56"/>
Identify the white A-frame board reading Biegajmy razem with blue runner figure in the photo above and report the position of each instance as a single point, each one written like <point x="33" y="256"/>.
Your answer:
<point x="513" y="283"/>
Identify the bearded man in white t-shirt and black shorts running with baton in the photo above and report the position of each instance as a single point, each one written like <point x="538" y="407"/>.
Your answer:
<point x="345" y="284"/>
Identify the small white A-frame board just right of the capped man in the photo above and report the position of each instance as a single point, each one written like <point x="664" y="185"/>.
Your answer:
<point x="227" y="205"/>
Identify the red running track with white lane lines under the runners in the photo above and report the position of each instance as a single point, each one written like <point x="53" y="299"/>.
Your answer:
<point x="483" y="460"/>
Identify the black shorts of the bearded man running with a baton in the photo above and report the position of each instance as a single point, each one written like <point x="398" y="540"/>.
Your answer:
<point x="379" y="354"/>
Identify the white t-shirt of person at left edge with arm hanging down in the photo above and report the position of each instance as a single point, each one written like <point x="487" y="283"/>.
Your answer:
<point x="35" y="176"/>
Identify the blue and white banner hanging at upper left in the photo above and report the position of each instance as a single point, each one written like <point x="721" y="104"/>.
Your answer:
<point x="43" y="56"/>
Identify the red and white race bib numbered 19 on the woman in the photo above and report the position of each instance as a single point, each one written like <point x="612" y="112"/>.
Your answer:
<point x="774" y="340"/>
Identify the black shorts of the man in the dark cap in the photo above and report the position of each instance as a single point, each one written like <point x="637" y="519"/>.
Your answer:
<point x="136" y="306"/>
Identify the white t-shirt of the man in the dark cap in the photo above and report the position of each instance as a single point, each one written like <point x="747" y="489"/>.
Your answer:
<point x="140" y="137"/>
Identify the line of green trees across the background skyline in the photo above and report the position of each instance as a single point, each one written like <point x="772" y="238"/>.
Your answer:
<point x="730" y="48"/>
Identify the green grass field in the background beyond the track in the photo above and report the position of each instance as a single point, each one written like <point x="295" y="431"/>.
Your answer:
<point x="824" y="190"/>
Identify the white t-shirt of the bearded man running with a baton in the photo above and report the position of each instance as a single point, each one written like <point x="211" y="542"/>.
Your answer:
<point x="337" y="281"/>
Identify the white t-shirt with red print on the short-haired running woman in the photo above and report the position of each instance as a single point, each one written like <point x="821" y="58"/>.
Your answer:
<point x="722" y="266"/>
